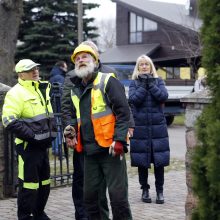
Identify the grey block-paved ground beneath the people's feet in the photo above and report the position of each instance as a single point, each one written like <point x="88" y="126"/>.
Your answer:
<point x="60" y="205"/>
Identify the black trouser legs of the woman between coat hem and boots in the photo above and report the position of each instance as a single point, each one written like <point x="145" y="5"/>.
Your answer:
<point x="159" y="178"/>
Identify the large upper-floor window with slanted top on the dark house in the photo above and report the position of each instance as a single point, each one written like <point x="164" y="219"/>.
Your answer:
<point x="138" y="25"/>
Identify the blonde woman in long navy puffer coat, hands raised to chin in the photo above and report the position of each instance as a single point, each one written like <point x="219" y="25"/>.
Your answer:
<point x="150" y="142"/>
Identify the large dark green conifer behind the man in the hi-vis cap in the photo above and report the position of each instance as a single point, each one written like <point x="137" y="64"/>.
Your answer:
<point x="48" y="31"/>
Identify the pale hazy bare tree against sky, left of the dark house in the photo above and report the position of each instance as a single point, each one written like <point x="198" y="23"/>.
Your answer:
<point x="107" y="34"/>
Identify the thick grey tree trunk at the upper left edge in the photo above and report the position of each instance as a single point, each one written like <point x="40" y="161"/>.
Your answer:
<point x="10" y="17"/>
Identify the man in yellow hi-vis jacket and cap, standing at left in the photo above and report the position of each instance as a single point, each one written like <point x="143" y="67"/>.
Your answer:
<point x="27" y="113"/>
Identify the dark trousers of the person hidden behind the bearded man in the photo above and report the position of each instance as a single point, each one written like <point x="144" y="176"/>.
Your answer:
<point x="77" y="190"/>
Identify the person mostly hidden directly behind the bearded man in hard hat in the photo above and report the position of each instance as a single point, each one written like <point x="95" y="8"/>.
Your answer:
<point x="78" y="158"/>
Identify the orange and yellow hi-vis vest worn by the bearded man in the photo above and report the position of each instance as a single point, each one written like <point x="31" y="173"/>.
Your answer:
<point x="103" y="119"/>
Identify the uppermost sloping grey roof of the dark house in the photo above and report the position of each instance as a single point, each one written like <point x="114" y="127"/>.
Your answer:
<point x="174" y="13"/>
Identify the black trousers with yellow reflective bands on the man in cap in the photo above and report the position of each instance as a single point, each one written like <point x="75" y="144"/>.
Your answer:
<point x="34" y="182"/>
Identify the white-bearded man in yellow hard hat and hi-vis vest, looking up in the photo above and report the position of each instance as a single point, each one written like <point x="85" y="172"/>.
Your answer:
<point x="98" y="116"/>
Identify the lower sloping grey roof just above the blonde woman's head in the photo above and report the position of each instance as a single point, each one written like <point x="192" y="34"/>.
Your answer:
<point x="127" y="53"/>
